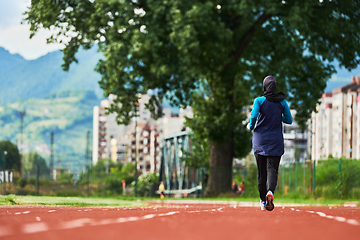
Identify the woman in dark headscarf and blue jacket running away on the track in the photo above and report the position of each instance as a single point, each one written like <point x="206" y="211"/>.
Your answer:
<point x="267" y="115"/>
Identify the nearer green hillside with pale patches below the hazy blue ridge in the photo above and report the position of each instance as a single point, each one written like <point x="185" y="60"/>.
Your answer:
<point x="67" y="114"/>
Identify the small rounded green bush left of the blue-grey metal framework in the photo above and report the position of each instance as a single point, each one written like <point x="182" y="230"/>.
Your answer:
<point x="147" y="184"/>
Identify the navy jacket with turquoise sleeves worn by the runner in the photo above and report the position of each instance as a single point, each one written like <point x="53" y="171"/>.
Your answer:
<point x="268" y="137"/>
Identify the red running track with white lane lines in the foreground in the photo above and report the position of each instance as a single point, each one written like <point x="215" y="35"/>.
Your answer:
<point x="179" y="221"/>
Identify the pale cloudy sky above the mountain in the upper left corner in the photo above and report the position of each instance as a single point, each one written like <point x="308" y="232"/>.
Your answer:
<point x="14" y="36"/>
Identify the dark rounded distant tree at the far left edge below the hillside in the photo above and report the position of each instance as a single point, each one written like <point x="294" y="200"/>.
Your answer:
<point x="12" y="156"/>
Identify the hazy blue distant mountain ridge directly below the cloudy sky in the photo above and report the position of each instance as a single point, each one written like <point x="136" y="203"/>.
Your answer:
<point x="23" y="79"/>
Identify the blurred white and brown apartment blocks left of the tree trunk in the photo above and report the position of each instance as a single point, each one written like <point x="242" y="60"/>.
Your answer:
<point x="119" y="143"/>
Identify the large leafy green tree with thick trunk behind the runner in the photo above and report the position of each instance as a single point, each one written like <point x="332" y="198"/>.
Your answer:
<point x="178" y="48"/>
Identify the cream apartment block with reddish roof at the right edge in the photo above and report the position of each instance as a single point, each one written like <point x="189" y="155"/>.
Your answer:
<point x="335" y="126"/>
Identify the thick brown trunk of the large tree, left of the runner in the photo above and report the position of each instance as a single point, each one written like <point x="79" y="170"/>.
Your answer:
<point x="220" y="177"/>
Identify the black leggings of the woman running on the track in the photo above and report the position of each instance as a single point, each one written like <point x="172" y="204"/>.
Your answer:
<point x="268" y="168"/>
